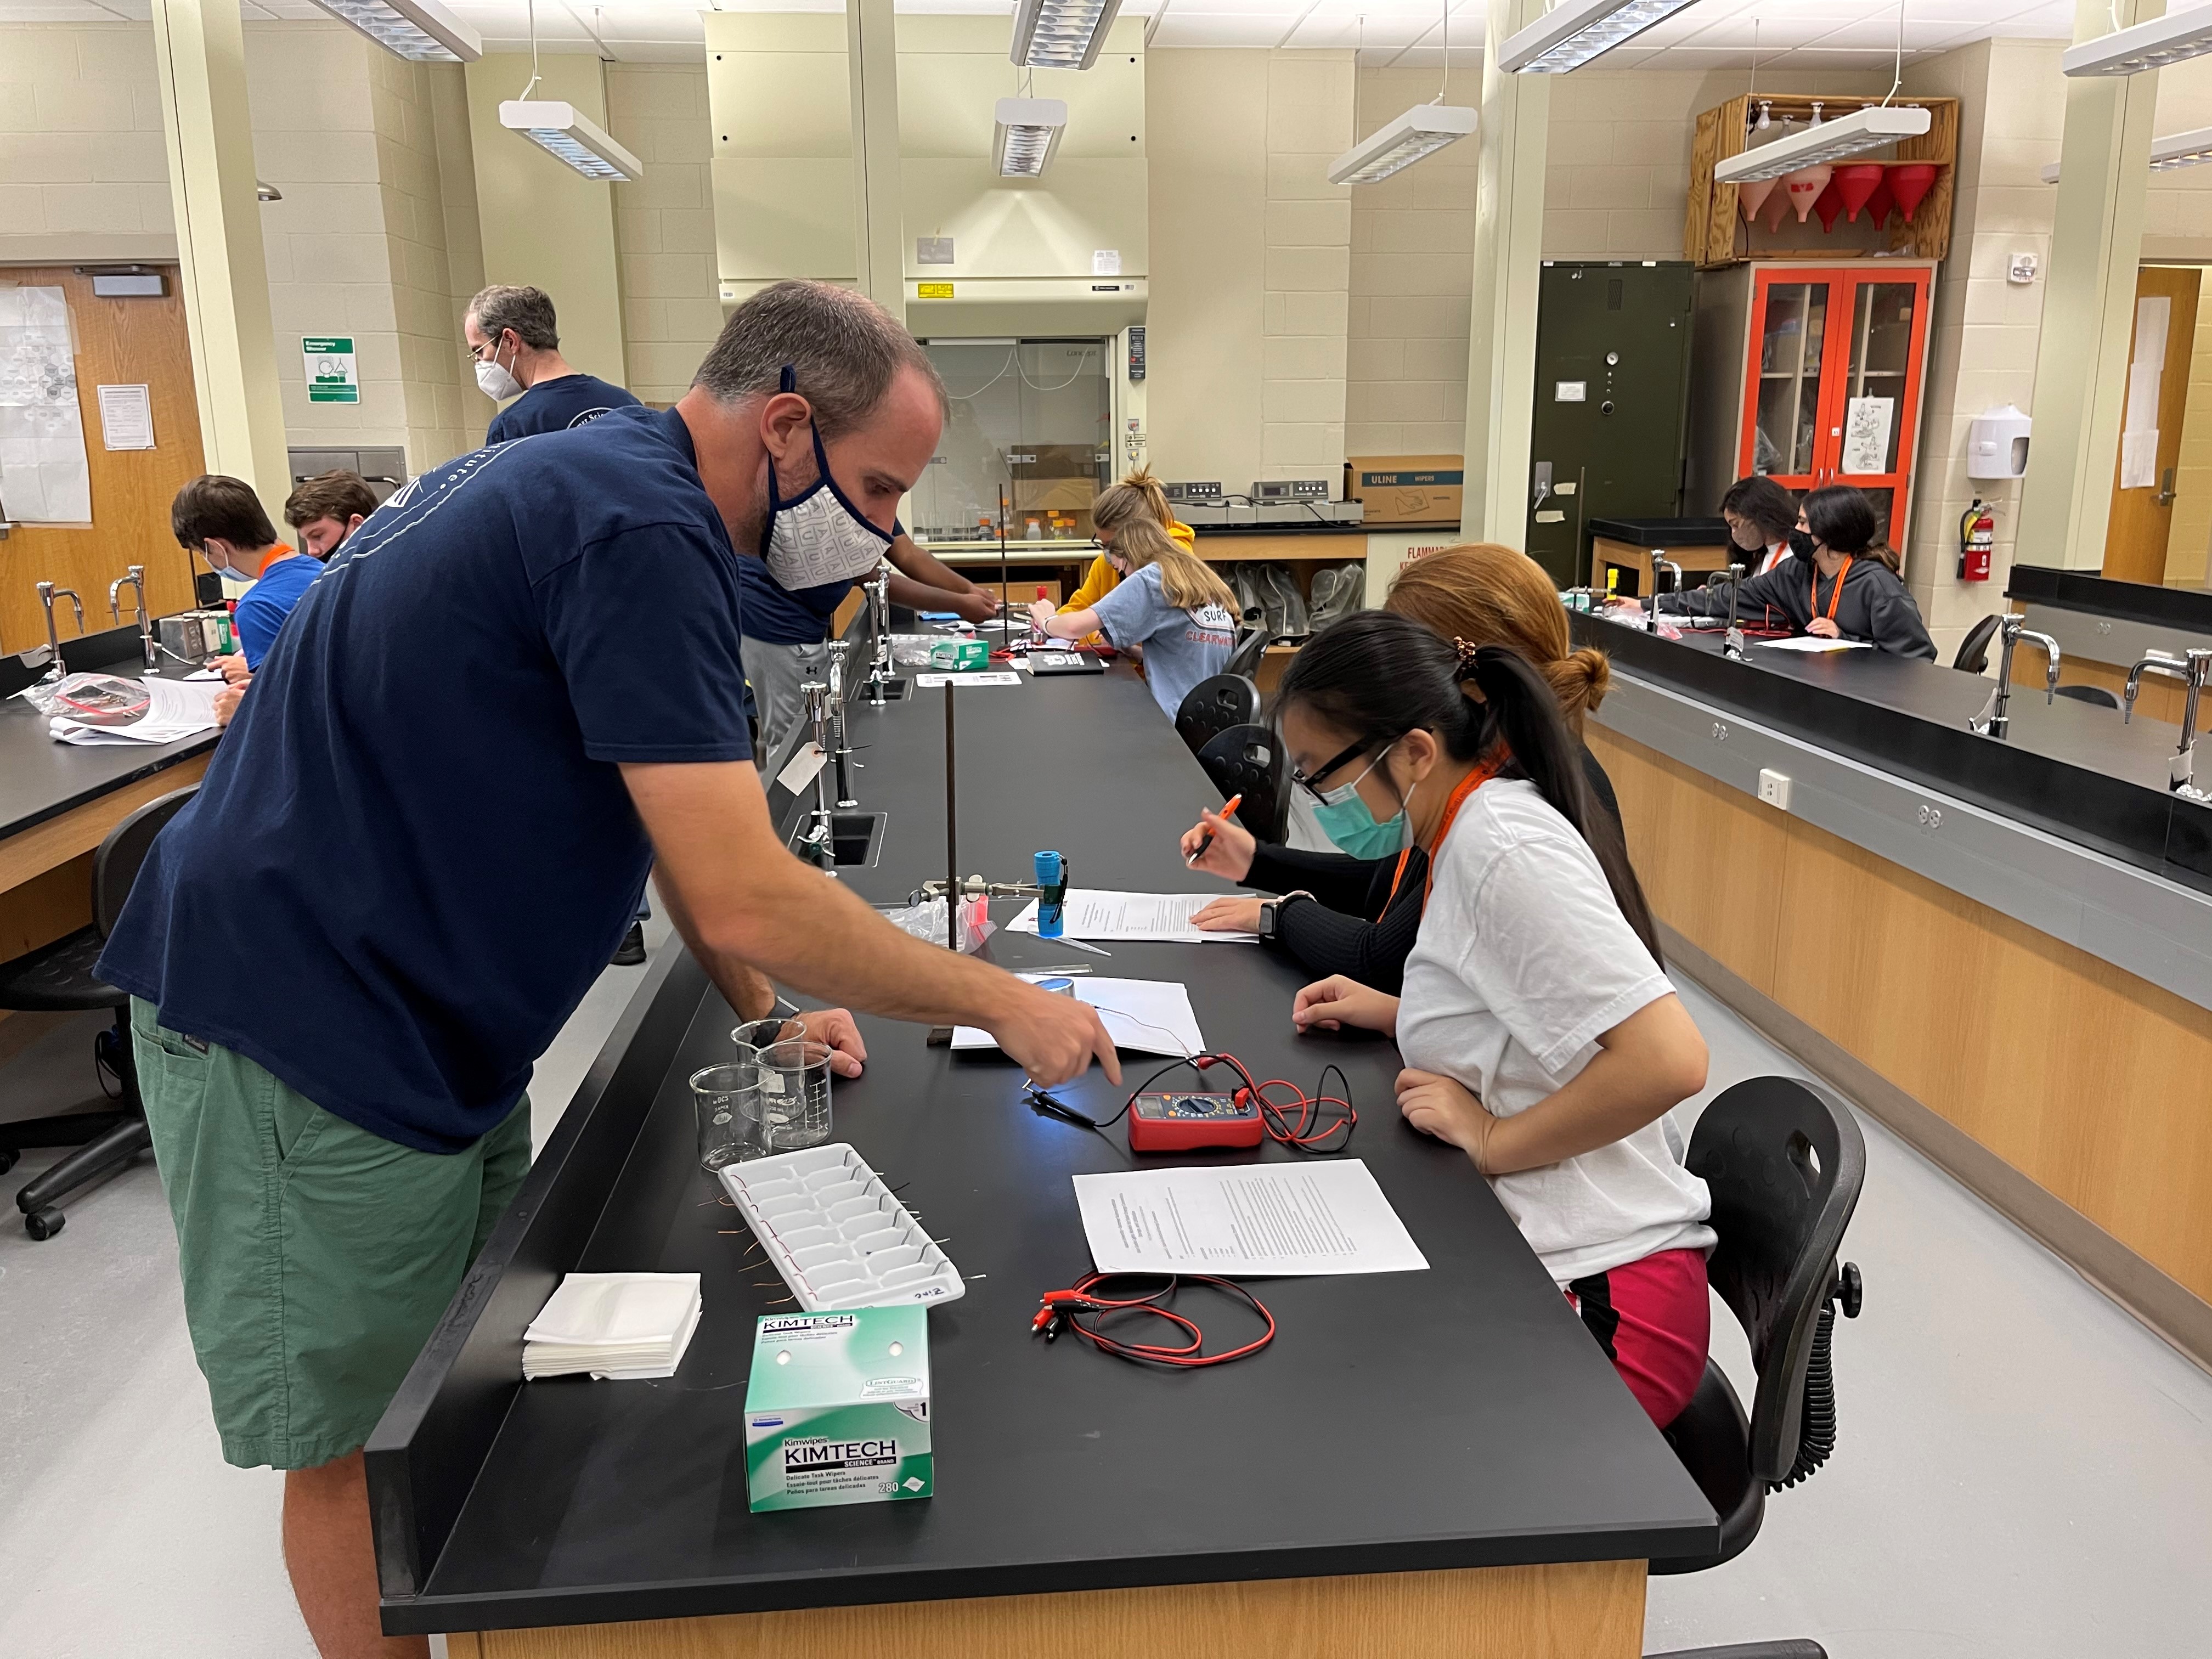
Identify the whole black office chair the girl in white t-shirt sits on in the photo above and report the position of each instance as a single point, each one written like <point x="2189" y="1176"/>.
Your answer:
<point x="1786" y="1165"/>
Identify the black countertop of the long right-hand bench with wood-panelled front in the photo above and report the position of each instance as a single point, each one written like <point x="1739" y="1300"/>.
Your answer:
<point x="2069" y="769"/>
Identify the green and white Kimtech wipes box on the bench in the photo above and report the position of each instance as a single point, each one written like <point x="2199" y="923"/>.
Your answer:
<point x="837" y="1408"/>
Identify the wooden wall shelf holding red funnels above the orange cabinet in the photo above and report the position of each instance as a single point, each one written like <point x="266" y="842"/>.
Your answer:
<point x="1713" y="225"/>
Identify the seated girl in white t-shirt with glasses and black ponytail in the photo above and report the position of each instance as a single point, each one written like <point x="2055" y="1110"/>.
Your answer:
<point x="1536" y="1027"/>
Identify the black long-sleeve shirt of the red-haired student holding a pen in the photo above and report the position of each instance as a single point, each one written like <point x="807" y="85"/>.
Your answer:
<point x="1357" y="926"/>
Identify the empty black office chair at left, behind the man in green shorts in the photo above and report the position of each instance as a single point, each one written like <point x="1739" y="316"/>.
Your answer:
<point x="61" y="979"/>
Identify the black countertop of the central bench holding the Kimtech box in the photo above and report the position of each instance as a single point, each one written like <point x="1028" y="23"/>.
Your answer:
<point x="1439" y="1419"/>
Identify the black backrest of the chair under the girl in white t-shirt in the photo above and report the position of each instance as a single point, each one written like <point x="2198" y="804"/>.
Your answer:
<point x="1786" y="1165"/>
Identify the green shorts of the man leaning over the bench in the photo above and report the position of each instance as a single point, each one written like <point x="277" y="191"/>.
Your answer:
<point x="317" y="1258"/>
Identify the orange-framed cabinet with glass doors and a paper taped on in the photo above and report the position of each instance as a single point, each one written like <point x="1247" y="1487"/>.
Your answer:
<point x="1813" y="375"/>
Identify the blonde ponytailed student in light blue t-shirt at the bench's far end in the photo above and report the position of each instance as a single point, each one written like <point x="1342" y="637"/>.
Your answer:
<point x="1169" y="603"/>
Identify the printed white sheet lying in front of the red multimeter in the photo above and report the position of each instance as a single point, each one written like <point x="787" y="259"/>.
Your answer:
<point x="1246" y="1220"/>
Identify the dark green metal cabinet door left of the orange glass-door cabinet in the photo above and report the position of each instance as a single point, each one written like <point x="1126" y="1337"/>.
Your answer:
<point x="1611" y="404"/>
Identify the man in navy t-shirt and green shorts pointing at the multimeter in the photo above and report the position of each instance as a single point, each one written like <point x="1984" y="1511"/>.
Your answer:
<point x="408" y="866"/>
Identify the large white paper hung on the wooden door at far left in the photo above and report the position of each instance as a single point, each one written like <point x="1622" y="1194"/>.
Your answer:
<point x="45" y="477"/>
